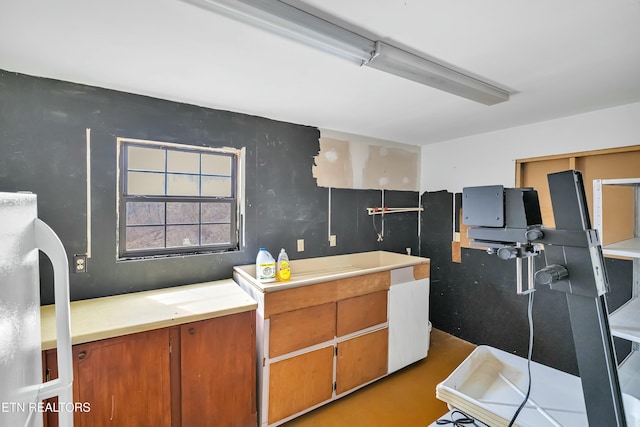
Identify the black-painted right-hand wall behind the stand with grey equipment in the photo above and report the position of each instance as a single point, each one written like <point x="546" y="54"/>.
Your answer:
<point x="476" y="299"/>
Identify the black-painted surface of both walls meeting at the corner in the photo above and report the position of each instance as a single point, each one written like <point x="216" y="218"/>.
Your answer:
<point x="42" y="149"/>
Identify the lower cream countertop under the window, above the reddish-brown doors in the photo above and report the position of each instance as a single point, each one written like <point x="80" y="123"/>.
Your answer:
<point x="100" y="318"/>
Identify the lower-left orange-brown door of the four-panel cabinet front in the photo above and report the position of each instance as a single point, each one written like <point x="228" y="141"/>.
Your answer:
<point x="297" y="383"/>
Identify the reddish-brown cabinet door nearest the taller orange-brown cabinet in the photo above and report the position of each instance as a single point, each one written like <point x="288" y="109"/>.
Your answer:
<point x="217" y="358"/>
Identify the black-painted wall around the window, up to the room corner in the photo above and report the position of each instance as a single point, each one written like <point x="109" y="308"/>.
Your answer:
<point x="43" y="124"/>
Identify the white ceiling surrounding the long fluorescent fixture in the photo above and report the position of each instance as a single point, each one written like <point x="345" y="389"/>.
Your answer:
<point x="560" y="57"/>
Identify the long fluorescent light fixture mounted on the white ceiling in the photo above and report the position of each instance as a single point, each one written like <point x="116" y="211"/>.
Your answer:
<point x="281" y="18"/>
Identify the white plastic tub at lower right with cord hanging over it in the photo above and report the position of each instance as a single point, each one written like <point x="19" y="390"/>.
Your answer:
<point x="490" y="385"/>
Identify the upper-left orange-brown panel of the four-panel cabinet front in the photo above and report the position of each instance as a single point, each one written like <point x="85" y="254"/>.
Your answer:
<point x="297" y="329"/>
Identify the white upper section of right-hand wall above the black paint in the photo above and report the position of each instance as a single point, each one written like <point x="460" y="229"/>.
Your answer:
<point x="489" y="158"/>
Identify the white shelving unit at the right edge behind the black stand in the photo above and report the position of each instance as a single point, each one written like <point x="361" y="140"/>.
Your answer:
<point x="625" y="321"/>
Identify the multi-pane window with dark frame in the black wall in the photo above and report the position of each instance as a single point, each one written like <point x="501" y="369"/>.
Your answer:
<point x="175" y="199"/>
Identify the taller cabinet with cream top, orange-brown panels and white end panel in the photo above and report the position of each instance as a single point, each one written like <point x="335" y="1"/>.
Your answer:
<point x="321" y="340"/>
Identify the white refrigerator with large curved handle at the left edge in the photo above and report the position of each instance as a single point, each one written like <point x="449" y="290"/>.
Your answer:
<point x="22" y="390"/>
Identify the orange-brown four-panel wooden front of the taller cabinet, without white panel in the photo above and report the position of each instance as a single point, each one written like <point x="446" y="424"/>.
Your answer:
<point x="302" y="329"/>
